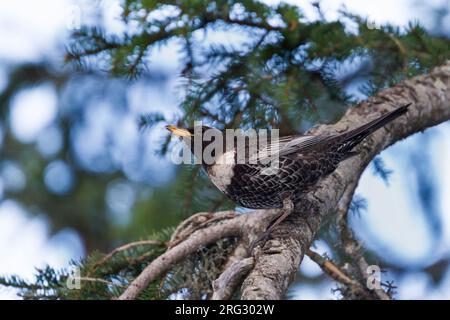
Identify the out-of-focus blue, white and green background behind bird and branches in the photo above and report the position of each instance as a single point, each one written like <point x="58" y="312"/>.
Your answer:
<point x="77" y="175"/>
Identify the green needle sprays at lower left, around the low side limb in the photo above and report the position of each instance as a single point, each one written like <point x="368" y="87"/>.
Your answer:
<point x="102" y="276"/>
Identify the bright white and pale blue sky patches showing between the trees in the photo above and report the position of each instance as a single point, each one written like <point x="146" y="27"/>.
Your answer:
<point x="29" y="33"/>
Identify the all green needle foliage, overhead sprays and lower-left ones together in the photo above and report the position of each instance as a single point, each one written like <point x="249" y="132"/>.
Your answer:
<point x="285" y="72"/>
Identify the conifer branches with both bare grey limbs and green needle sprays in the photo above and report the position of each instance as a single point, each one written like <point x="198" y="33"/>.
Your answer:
<point x="284" y="74"/>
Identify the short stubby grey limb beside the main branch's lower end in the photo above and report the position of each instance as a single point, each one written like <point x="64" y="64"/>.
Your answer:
<point x="231" y="278"/>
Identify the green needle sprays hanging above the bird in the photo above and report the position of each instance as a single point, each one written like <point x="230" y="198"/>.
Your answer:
<point x="286" y="70"/>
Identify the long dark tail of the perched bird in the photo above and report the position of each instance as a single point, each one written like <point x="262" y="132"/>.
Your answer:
<point x="348" y="140"/>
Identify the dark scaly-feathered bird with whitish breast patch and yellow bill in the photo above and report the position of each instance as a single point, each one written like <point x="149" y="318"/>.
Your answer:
<point x="303" y="160"/>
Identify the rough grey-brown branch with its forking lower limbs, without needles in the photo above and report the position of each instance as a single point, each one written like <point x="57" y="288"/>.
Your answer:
<point x="276" y="264"/>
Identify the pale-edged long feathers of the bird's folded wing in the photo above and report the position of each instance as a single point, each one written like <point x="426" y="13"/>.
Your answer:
<point x="288" y="145"/>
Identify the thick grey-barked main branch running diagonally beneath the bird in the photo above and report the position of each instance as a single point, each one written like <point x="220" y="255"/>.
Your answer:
<point x="276" y="266"/>
